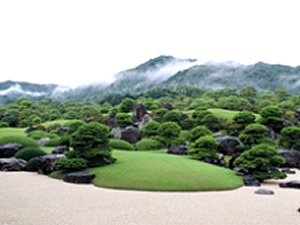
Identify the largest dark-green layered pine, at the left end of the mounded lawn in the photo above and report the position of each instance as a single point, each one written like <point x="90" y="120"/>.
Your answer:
<point x="90" y="142"/>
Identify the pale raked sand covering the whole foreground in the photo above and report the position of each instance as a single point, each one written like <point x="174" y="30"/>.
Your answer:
<point x="33" y="199"/>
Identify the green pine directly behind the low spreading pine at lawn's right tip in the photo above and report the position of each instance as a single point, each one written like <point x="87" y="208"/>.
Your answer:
<point x="254" y="134"/>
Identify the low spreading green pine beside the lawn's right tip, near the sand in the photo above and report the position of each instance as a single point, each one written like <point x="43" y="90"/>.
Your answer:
<point x="261" y="161"/>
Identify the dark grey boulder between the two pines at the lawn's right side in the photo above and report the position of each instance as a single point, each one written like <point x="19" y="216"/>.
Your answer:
<point x="227" y="145"/>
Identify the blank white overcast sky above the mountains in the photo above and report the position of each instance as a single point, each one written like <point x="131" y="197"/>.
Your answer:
<point x="74" y="42"/>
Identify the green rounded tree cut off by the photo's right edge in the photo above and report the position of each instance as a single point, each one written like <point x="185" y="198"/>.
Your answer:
<point x="290" y="138"/>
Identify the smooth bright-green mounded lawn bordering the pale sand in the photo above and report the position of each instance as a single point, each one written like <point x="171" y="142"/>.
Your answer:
<point x="159" y="171"/>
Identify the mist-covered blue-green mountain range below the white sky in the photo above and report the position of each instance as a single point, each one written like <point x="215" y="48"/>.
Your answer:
<point x="165" y="72"/>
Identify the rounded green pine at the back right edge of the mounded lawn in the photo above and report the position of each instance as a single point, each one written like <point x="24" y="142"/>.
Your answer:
<point x="205" y="146"/>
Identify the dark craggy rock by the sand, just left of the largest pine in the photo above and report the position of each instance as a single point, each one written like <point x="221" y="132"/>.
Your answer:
<point x="45" y="164"/>
